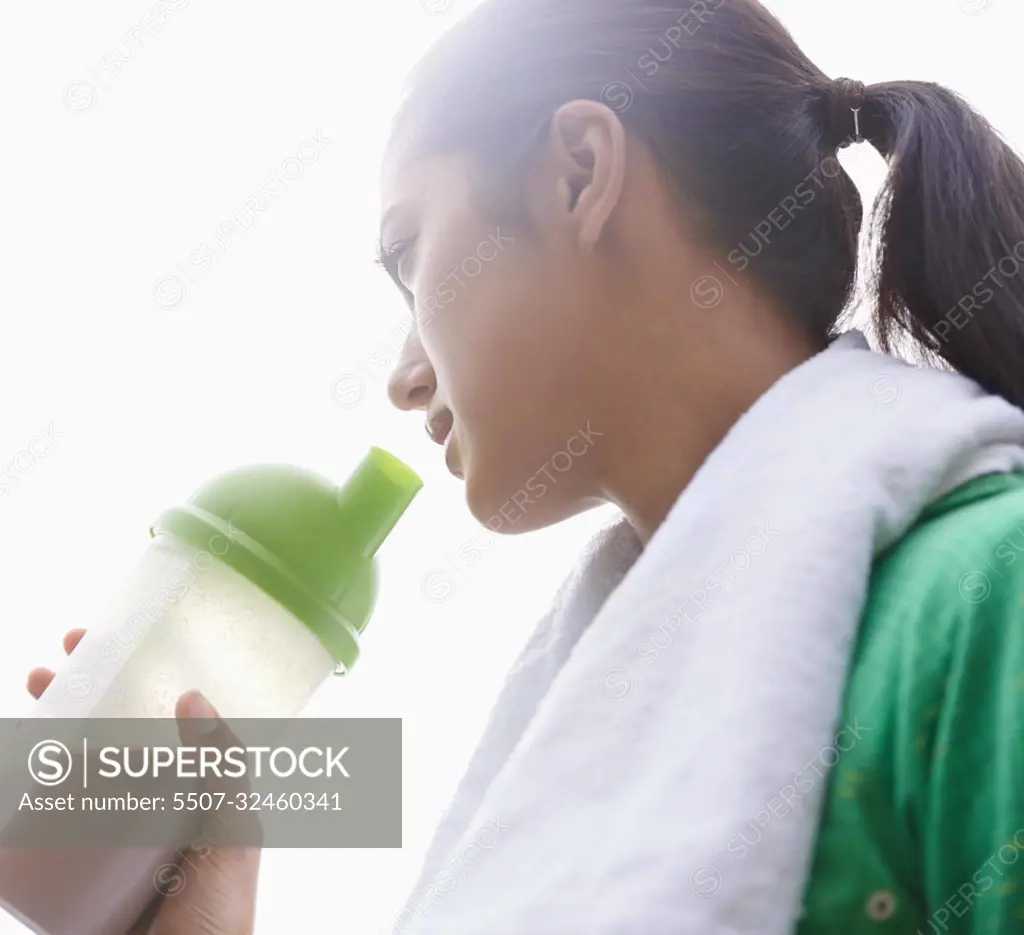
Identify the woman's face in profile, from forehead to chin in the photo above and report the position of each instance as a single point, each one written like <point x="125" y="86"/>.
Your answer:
<point x="506" y="355"/>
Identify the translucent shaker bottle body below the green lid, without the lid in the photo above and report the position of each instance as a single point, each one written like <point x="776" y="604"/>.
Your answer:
<point x="184" y="621"/>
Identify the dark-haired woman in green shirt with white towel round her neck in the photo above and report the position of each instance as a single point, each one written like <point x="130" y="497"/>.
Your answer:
<point x="786" y="694"/>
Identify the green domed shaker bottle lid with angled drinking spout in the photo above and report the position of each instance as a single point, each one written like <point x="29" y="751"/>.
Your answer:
<point x="305" y="541"/>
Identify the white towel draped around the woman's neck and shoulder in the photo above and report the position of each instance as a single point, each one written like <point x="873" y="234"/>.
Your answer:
<point x="670" y="697"/>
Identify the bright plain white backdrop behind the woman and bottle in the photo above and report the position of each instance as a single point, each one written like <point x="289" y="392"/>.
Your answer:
<point x="106" y="192"/>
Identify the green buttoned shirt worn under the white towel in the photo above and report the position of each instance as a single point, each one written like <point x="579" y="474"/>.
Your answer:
<point x="923" y="829"/>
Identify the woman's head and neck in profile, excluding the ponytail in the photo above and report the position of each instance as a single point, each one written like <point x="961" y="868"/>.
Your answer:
<point x="596" y="305"/>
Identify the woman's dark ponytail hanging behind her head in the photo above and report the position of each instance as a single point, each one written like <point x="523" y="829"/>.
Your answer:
<point x="950" y="234"/>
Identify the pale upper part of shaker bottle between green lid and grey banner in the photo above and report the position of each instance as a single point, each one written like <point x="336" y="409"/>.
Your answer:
<point x="187" y="621"/>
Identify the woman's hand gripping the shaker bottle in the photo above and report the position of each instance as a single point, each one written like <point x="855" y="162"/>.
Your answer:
<point x="216" y="894"/>
